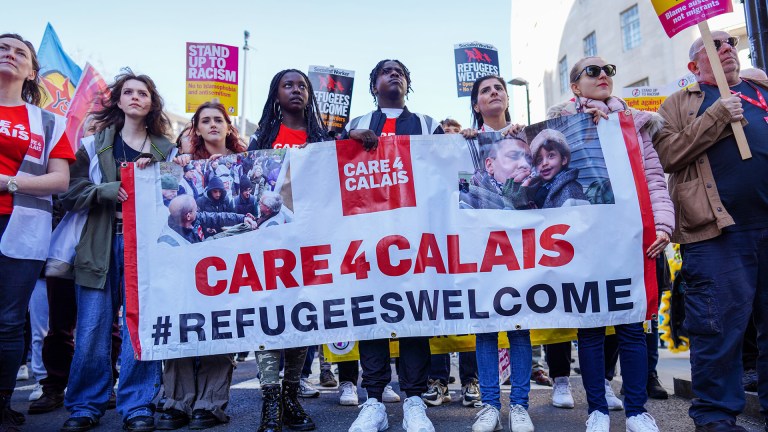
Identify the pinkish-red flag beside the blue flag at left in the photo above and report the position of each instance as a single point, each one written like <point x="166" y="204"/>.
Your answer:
<point x="87" y="99"/>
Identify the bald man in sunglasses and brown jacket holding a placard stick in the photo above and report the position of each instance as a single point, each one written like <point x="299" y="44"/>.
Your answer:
<point x="722" y="204"/>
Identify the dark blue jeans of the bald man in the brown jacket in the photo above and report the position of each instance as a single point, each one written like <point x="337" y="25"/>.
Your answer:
<point x="726" y="278"/>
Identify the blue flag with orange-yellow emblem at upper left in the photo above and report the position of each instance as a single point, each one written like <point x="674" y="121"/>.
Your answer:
<point x="59" y="74"/>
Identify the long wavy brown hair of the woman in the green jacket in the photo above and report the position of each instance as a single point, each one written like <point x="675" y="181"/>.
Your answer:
<point x="110" y="114"/>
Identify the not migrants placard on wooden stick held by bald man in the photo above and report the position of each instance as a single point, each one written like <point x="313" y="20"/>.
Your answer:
<point x="677" y="15"/>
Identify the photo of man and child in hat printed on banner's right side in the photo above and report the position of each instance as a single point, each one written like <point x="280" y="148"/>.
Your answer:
<point x="556" y="163"/>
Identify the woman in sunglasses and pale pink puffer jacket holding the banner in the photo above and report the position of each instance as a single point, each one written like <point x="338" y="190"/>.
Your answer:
<point x="592" y="86"/>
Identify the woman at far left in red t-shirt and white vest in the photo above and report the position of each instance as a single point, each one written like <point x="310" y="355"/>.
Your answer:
<point x="25" y="189"/>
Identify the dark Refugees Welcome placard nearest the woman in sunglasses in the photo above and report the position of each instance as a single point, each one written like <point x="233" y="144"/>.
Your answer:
<point x="474" y="60"/>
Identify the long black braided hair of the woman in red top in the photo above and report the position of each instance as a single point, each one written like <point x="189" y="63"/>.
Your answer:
<point x="272" y="115"/>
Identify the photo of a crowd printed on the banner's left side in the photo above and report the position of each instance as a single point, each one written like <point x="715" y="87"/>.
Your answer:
<point x="211" y="199"/>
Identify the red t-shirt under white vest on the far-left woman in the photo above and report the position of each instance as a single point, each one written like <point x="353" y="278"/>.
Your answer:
<point x="14" y="143"/>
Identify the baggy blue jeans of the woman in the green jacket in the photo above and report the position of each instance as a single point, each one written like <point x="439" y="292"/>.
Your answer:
<point x="90" y="378"/>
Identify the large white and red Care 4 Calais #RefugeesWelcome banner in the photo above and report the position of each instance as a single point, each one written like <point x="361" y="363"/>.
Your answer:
<point x="427" y="235"/>
